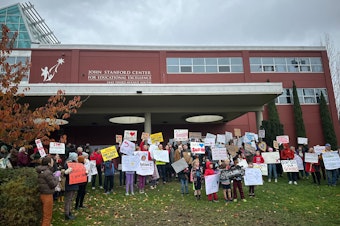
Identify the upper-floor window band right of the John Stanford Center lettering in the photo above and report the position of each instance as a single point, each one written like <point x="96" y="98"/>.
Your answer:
<point x="205" y="65"/>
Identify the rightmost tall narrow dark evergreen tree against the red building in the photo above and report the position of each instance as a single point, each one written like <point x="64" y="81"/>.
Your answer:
<point x="327" y="124"/>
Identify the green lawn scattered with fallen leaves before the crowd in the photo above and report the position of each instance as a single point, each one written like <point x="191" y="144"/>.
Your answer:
<point x="274" y="204"/>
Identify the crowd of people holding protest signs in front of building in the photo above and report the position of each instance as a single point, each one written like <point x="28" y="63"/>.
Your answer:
<point x="54" y="172"/>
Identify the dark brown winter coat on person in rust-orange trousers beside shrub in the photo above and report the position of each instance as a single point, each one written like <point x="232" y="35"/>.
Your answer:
<point x="46" y="181"/>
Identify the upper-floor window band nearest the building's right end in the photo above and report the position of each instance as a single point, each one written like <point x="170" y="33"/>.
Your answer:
<point x="285" y="64"/>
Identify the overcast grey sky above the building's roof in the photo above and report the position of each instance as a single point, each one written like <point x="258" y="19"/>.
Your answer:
<point x="191" y="22"/>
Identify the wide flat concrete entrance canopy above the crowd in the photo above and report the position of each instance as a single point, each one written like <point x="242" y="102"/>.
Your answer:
<point x="167" y="103"/>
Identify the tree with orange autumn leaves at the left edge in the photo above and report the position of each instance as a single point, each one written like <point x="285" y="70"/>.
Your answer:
<point x="19" y="124"/>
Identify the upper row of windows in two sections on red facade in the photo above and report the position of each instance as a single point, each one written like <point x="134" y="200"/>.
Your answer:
<point x="235" y="65"/>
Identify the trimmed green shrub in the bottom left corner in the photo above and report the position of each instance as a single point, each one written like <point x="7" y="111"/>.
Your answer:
<point x="19" y="197"/>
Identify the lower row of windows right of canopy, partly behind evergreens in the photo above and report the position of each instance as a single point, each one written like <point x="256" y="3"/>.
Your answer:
<point x="306" y="96"/>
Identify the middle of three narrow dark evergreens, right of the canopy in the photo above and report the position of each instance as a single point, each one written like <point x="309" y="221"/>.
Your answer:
<point x="298" y="118"/>
